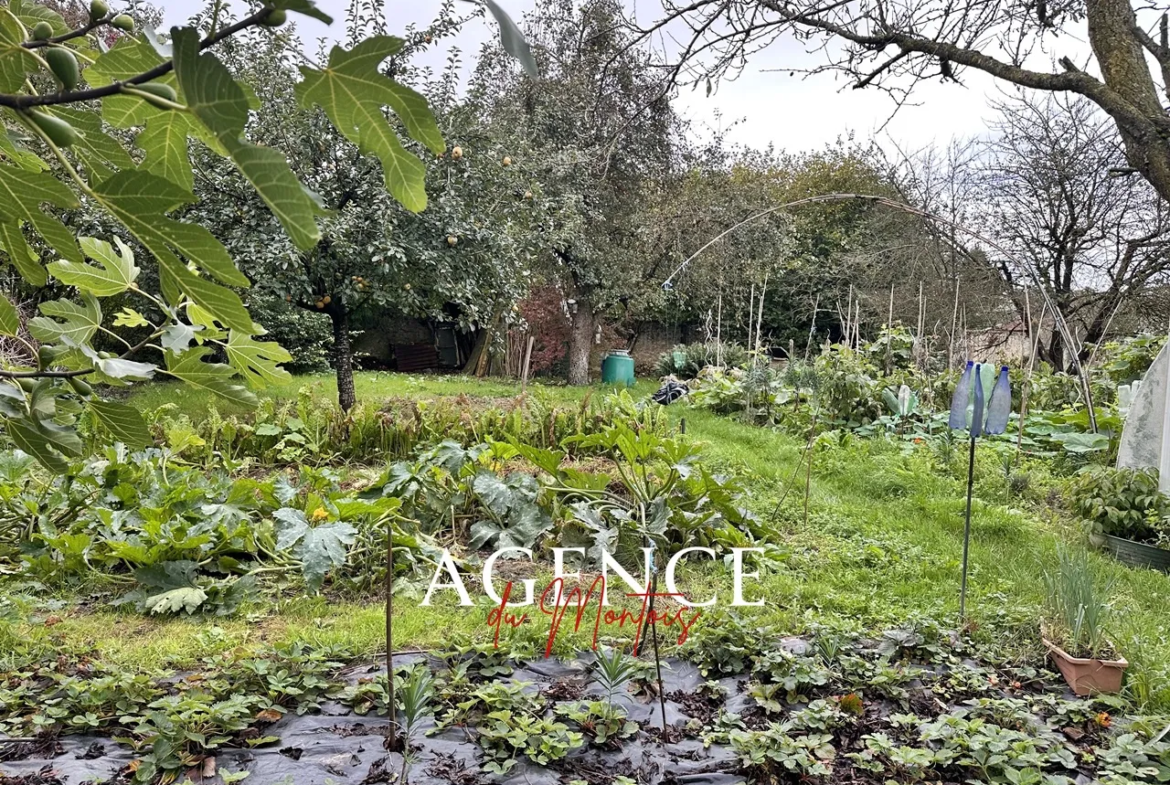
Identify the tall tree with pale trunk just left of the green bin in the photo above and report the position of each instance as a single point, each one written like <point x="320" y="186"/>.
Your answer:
<point x="600" y="128"/>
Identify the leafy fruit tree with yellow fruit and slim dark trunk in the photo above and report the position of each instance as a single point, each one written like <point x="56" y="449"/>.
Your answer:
<point x="463" y="260"/>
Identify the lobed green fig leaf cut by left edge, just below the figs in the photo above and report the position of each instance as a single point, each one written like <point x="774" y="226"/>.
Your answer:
<point x="22" y="196"/>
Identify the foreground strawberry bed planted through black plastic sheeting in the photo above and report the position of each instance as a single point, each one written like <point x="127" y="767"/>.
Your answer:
<point x="746" y="706"/>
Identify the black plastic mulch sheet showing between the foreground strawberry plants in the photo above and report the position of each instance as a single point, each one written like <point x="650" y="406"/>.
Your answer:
<point x="335" y="747"/>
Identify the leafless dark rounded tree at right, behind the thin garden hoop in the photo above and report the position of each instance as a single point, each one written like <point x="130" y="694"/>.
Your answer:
<point x="1051" y="198"/>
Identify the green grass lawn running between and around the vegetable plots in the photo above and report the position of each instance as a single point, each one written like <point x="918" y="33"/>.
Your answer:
<point x="882" y="547"/>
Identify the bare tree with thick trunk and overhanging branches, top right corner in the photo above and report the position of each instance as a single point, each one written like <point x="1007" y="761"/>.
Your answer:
<point x="896" y="44"/>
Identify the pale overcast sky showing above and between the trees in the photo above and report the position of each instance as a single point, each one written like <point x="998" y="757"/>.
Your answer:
<point x="765" y="106"/>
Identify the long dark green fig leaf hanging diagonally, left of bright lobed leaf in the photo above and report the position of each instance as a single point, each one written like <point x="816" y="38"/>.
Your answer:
<point x="222" y="106"/>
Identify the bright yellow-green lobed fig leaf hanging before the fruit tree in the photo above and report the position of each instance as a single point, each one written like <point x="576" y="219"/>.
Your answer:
<point x="353" y="92"/>
